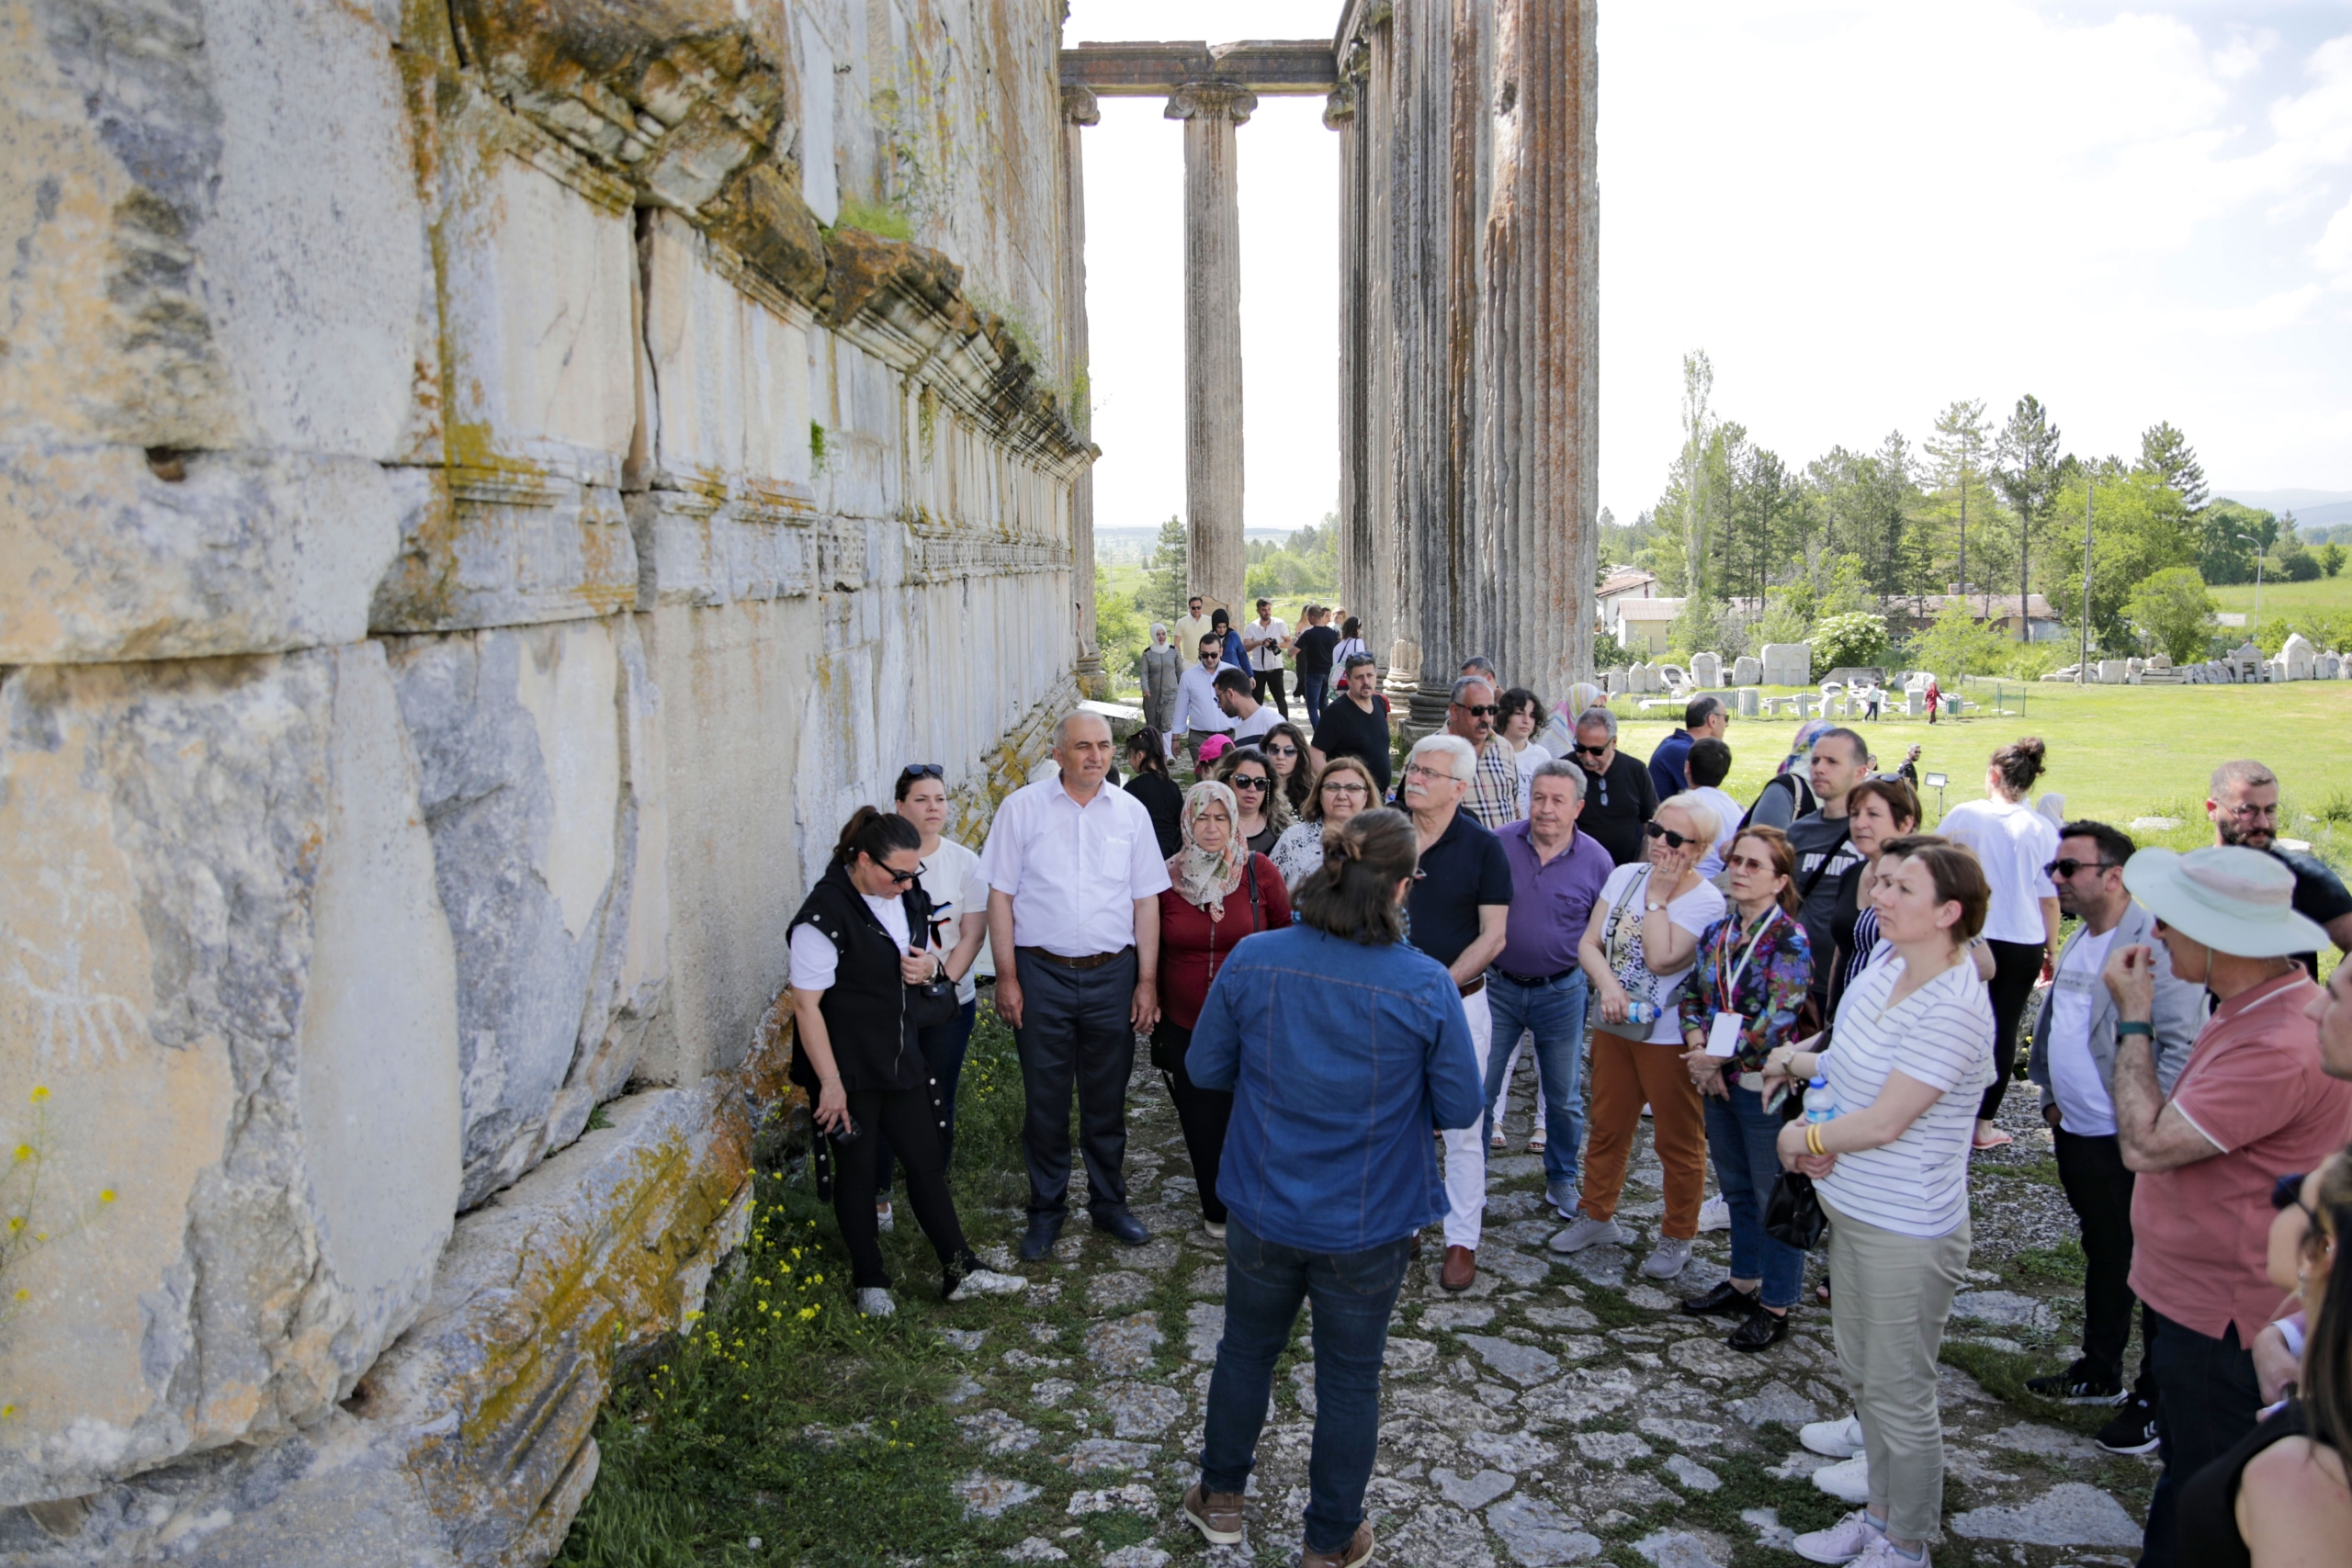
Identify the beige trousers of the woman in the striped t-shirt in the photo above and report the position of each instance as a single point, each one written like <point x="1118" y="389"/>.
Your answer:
<point x="1895" y="1296"/>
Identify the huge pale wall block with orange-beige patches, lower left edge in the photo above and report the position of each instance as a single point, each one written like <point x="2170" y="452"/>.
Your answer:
<point x="227" y="963"/>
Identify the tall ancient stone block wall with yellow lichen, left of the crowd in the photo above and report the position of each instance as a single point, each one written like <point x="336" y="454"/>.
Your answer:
<point x="479" y="509"/>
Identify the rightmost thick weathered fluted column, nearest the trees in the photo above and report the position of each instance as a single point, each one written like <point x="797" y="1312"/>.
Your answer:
<point x="1539" y="349"/>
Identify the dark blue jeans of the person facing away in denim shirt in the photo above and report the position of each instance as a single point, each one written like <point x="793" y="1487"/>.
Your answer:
<point x="1354" y="1299"/>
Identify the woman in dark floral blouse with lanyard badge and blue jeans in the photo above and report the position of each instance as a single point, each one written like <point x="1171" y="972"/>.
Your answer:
<point x="1742" y="1000"/>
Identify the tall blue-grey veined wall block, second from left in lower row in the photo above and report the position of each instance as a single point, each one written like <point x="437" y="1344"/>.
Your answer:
<point x="535" y="845"/>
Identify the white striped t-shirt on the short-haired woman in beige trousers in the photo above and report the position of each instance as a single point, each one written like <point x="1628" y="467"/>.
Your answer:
<point x="1942" y="1036"/>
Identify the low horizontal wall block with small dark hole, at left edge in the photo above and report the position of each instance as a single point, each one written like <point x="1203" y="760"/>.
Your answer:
<point x="241" y="554"/>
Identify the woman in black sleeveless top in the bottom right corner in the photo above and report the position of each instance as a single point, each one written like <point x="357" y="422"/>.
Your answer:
<point x="2283" y="1496"/>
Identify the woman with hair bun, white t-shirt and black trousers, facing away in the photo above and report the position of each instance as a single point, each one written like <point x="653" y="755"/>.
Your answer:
<point x="2014" y="845"/>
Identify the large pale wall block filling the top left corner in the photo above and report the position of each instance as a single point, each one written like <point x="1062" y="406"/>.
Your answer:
<point x="215" y="232"/>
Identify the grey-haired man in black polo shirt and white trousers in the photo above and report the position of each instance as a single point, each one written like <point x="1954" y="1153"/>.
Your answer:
<point x="1459" y="916"/>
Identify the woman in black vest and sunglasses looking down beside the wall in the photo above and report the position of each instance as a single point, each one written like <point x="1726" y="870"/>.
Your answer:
<point x="853" y="972"/>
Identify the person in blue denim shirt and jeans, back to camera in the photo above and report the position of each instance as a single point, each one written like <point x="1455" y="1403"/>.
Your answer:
<point x="1344" y="1050"/>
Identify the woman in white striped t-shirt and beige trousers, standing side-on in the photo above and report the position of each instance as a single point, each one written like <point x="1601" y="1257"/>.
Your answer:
<point x="1892" y="1172"/>
